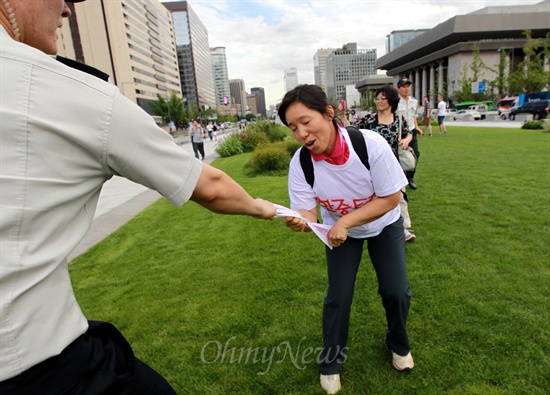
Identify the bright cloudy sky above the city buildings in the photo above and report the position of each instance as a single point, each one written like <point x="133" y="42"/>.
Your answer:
<point x="262" y="38"/>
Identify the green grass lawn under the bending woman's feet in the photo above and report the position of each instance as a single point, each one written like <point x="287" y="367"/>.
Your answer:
<point x="232" y="305"/>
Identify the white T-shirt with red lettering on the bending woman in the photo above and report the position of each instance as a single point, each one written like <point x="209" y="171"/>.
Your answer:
<point x="340" y="189"/>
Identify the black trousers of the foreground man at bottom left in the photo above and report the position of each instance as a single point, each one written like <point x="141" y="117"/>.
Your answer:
<point x="100" y="362"/>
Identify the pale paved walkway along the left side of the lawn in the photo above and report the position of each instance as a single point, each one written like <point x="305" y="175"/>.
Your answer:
<point x="122" y="199"/>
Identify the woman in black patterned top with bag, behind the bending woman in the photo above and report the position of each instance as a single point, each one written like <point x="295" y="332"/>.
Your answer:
<point x="386" y="123"/>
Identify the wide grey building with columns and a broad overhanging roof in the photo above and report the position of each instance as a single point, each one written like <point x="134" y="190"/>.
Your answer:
<point x="435" y="60"/>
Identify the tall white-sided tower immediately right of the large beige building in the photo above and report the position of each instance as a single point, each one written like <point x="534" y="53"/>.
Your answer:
<point x="195" y="61"/>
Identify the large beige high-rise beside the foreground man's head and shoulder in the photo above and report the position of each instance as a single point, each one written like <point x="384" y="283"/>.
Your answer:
<point x="132" y="41"/>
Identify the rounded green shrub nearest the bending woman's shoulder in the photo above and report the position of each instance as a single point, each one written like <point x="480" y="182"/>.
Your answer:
<point x="268" y="159"/>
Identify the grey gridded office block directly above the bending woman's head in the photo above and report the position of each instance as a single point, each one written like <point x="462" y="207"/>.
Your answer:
<point x="347" y="66"/>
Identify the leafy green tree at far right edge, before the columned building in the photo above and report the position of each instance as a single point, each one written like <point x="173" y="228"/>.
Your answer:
<point x="530" y="75"/>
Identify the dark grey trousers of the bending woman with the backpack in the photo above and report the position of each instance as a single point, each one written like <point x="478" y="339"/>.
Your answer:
<point x="387" y="253"/>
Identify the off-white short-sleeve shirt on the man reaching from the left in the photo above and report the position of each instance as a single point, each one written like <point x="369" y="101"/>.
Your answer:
<point x="63" y="133"/>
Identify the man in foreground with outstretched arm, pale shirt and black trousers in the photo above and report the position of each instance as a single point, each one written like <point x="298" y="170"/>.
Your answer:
<point x="63" y="134"/>
